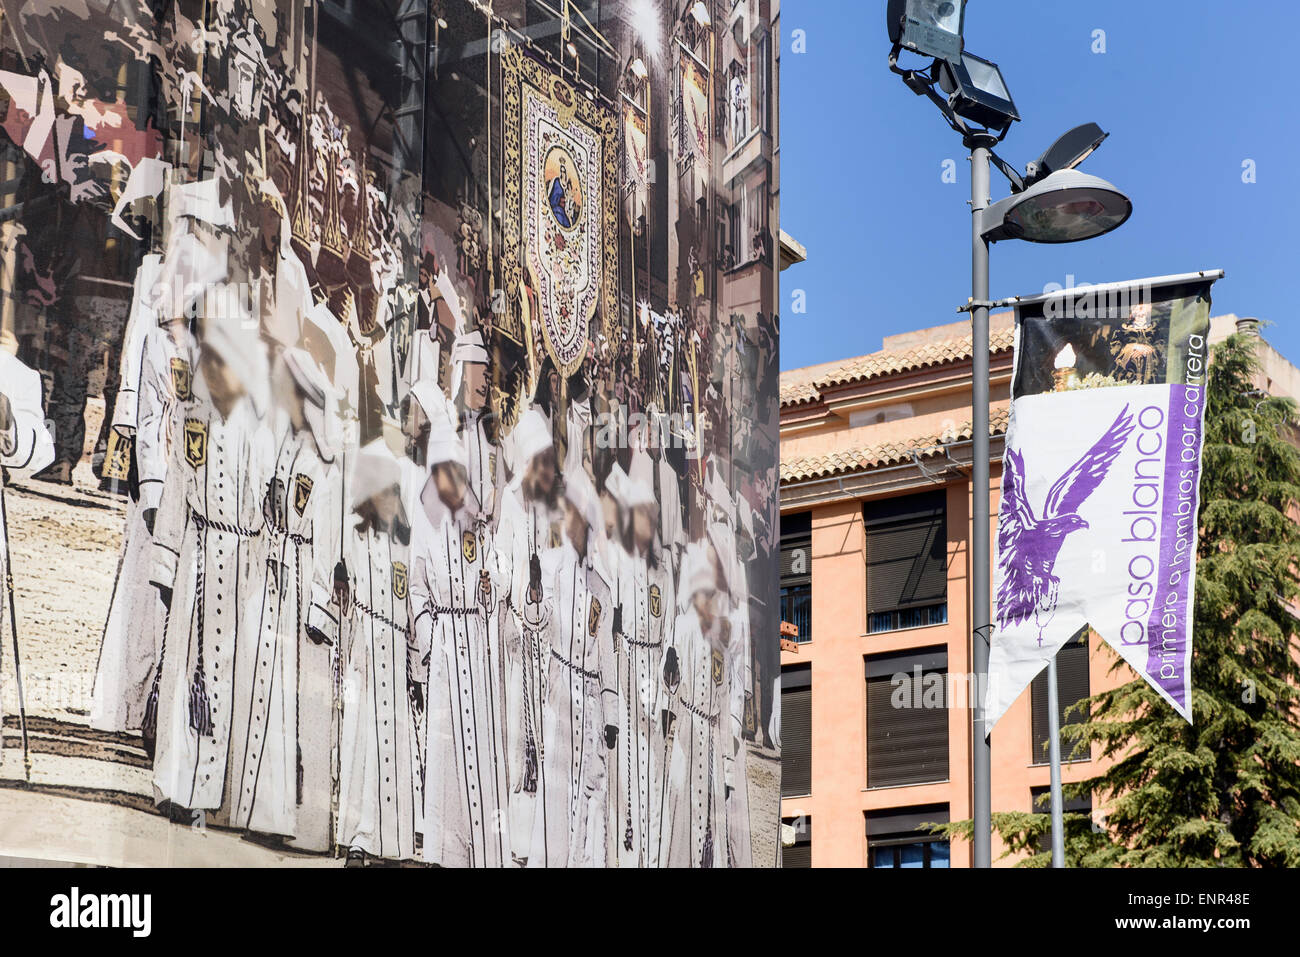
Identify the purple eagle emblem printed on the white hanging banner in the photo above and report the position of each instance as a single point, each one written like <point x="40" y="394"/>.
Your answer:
<point x="1028" y="547"/>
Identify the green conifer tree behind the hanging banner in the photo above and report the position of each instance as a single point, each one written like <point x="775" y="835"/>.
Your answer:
<point x="1225" y="790"/>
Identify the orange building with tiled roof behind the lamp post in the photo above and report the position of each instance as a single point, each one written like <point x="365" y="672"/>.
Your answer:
<point x="876" y="569"/>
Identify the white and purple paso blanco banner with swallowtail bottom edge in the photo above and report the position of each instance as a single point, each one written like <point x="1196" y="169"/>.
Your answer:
<point x="1102" y="482"/>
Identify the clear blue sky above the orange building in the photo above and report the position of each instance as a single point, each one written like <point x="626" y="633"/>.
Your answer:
<point x="1189" y="93"/>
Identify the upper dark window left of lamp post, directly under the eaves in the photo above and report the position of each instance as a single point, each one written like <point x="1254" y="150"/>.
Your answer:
<point x="907" y="562"/>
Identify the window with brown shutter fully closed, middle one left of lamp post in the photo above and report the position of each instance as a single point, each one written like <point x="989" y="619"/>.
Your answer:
<point x="907" y="718"/>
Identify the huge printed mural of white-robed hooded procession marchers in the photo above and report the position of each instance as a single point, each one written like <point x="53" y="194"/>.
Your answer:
<point x="389" y="393"/>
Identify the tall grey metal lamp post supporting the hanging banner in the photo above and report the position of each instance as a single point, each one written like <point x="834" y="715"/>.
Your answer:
<point x="980" y="555"/>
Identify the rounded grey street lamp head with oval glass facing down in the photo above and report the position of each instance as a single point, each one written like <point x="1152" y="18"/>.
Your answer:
<point x="1065" y="207"/>
